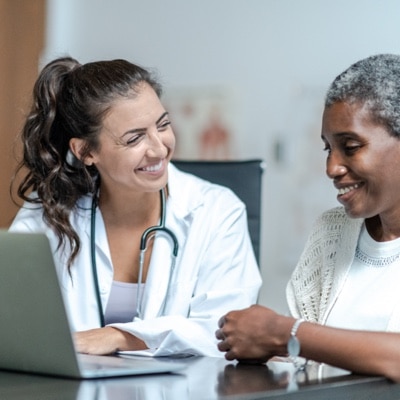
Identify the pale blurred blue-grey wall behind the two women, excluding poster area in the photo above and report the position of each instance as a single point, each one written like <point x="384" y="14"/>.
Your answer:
<point x="278" y="55"/>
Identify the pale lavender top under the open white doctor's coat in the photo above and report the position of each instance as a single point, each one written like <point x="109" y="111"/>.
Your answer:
<point x="121" y="306"/>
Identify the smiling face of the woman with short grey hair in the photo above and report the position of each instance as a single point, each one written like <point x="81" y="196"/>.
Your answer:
<point x="363" y="162"/>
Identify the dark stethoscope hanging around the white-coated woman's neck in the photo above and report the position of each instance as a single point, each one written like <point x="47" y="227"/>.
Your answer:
<point x="147" y="234"/>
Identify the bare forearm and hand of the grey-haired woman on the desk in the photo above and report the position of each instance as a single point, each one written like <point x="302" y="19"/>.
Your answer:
<point x="257" y="334"/>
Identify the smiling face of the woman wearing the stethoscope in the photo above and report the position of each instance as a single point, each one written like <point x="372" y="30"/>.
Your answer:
<point x="136" y="144"/>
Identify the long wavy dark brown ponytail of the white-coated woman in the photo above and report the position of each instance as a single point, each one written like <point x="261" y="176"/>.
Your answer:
<point x="45" y="152"/>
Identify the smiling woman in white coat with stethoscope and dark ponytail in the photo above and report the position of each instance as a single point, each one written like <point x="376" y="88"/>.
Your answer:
<point x="97" y="149"/>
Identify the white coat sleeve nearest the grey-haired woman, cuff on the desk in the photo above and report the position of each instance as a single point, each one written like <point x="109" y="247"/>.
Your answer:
<point x="217" y="272"/>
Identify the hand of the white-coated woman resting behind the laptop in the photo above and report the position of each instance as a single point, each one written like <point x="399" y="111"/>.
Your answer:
<point x="106" y="340"/>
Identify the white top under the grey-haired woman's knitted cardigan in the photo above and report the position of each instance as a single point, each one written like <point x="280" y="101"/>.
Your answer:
<point x="371" y="289"/>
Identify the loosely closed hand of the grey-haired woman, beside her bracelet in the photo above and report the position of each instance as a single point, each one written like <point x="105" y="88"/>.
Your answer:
<point x="253" y="335"/>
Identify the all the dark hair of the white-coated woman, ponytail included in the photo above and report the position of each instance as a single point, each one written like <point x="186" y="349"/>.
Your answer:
<point x="70" y="100"/>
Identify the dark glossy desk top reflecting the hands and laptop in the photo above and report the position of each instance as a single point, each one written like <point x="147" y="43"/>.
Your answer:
<point x="206" y="378"/>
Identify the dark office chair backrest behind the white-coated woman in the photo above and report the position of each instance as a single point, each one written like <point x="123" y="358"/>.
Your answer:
<point x="243" y="178"/>
